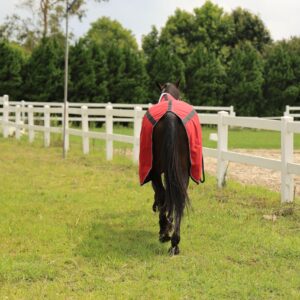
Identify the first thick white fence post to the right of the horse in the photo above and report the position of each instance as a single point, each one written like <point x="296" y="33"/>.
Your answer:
<point x="222" y="146"/>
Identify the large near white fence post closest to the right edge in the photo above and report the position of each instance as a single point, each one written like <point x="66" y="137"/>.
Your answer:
<point x="287" y="149"/>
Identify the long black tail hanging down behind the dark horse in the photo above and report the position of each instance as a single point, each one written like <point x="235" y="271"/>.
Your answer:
<point x="175" y="181"/>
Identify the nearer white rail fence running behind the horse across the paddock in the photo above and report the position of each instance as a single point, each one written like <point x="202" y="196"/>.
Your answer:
<point x="15" y="116"/>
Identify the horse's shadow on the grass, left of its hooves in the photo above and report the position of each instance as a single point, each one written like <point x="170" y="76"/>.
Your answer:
<point x="117" y="241"/>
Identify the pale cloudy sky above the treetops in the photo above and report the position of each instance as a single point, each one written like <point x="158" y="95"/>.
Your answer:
<point x="280" y="17"/>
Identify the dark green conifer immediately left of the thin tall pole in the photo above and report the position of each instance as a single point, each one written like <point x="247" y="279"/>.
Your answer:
<point x="43" y="73"/>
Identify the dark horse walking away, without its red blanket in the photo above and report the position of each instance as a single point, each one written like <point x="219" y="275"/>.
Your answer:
<point x="171" y="158"/>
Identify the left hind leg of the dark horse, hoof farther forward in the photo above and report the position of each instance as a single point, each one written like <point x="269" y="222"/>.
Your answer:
<point x="159" y="203"/>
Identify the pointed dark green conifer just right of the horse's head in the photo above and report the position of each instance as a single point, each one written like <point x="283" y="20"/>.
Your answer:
<point x="205" y="78"/>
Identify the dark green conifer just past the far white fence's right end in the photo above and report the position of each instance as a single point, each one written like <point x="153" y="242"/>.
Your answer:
<point x="245" y="80"/>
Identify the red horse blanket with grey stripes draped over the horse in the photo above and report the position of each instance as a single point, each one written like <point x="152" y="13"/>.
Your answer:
<point x="189" y="119"/>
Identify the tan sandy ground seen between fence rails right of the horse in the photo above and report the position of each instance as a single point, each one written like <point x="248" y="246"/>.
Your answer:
<point x="253" y="175"/>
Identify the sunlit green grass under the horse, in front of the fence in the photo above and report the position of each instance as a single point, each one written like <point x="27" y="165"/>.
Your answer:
<point x="82" y="228"/>
